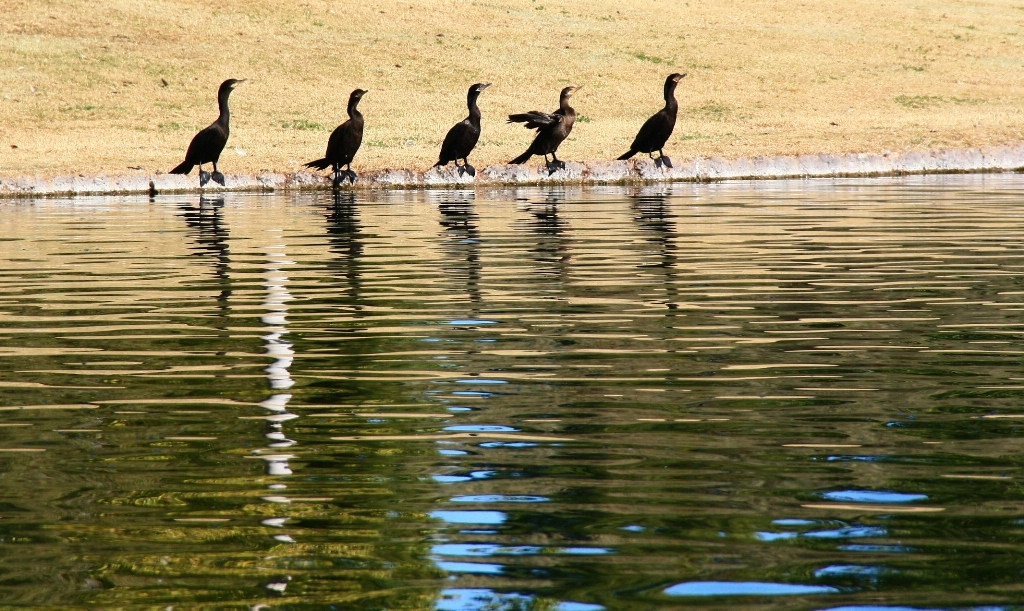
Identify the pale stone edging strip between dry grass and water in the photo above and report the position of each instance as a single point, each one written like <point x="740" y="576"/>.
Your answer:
<point x="637" y="171"/>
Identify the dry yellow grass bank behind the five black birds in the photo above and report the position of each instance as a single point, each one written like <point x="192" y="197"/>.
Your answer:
<point x="82" y="82"/>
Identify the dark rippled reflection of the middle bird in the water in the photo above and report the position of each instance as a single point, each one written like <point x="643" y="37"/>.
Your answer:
<point x="462" y="245"/>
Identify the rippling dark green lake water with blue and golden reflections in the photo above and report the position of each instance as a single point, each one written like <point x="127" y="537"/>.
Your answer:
<point x="773" y="396"/>
